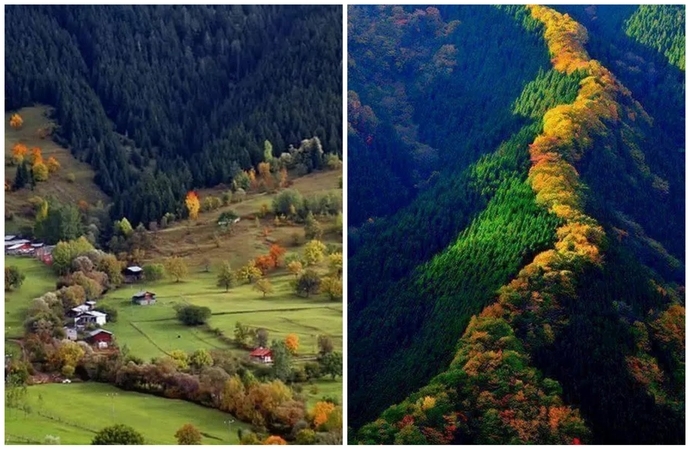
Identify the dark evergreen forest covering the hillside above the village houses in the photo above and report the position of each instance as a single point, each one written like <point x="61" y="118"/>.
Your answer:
<point x="164" y="99"/>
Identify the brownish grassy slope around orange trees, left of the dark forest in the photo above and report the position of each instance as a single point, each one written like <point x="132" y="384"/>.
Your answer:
<point x="57" y="186"/>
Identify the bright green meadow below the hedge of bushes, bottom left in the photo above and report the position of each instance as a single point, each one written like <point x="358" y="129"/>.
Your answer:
<point x="75" y="412"/>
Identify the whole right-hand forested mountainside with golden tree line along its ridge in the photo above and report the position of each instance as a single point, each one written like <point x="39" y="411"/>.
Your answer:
<point x="516" y="261"/>
